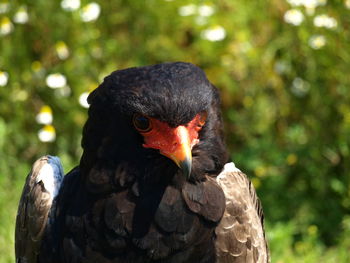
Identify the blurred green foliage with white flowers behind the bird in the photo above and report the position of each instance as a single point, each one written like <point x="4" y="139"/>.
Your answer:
<point x="283" y="69"/>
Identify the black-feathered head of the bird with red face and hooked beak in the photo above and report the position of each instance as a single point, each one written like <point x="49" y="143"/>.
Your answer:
<point x="168" y="109"/>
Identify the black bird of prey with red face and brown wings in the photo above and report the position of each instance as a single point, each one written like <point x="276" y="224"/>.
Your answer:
<point x="154" y="182"/>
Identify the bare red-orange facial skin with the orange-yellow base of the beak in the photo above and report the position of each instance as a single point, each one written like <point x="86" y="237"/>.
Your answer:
<point x="175" y="143"/>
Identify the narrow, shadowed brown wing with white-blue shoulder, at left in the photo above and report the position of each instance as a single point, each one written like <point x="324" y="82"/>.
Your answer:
<point x="41" y="187"/>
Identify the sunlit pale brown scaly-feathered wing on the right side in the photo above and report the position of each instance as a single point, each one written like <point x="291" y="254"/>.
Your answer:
<point x="240" y="234"/>
